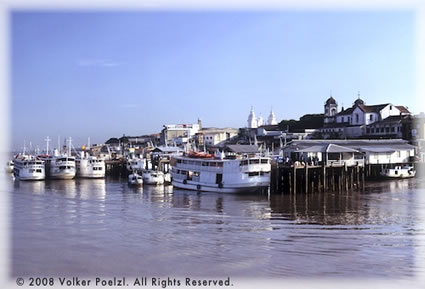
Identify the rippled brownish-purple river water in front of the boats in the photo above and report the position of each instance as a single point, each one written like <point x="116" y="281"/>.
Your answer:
<point x="106" y="228"/>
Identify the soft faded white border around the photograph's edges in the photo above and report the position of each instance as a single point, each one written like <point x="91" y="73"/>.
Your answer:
<point x="416" y="6"/>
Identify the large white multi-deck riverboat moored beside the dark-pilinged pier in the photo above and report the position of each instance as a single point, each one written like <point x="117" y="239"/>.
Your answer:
<point x="227" y="174"/>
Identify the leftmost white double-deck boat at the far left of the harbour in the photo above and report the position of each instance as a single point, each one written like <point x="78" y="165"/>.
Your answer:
<point x="28" y="167"/>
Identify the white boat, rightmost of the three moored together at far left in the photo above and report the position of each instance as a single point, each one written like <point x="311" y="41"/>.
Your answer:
<point x="89" y="166"/>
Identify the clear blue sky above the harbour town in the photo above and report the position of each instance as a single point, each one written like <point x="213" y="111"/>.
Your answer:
<point x="108" y="73"/>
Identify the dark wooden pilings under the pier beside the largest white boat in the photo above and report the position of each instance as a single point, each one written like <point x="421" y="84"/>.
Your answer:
<point x="312" y="178"/>
